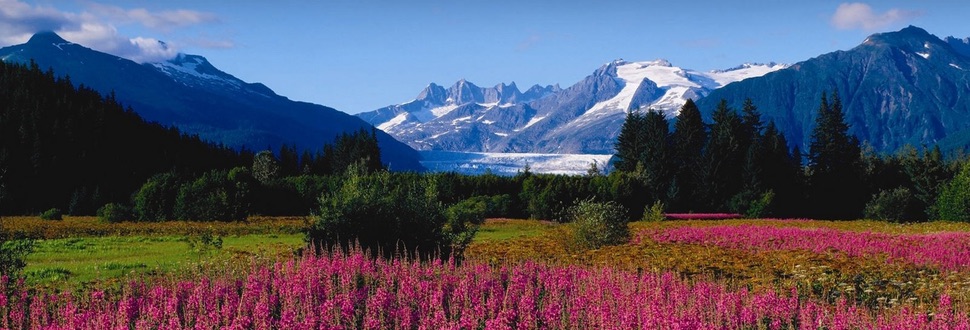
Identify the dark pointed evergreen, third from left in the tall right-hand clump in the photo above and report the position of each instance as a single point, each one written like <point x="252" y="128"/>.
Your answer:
<point x="688" y="139"/>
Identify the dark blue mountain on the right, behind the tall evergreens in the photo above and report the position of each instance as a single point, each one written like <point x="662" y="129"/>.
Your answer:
<point x="900" y="88"/>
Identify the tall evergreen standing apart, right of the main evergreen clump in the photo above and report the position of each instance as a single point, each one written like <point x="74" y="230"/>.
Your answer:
<point x="834" y="160"/>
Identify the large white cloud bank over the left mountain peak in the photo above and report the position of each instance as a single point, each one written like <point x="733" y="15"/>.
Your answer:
<point x="97" y="28"/>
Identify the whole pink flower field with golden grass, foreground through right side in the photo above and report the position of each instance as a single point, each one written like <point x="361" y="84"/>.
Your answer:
<point x="724" y="274"/>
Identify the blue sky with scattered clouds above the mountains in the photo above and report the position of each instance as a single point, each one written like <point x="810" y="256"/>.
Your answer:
<point x="361" y="55"/>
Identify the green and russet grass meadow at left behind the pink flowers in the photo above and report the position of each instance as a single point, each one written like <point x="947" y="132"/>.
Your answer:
<point x="81" y="251"/>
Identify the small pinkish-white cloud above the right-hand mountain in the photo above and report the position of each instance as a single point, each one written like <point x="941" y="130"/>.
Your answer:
<point x="857" y="15"/>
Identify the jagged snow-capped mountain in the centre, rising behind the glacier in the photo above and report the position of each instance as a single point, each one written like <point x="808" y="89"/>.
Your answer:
<point x="584" y="118"/>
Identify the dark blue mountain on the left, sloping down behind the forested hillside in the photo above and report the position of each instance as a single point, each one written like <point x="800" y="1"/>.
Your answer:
<point x="190" y="93"/>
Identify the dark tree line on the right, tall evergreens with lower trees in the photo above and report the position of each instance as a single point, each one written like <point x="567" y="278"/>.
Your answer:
<point x="740" y="164"/>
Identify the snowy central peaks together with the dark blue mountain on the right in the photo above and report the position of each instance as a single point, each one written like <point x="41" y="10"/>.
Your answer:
<point x="900" y="88"/>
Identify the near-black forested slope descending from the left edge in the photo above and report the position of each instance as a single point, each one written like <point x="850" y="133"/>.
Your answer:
<point x="66" y="146"/>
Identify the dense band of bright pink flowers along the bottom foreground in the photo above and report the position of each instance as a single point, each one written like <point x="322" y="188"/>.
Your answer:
<point x="350" y="291"/>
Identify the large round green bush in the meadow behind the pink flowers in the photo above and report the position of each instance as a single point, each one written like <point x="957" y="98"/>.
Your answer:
<point x="382" y="212"/>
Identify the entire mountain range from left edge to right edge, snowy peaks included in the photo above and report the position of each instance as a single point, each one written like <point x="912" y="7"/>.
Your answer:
<point x="900" y="88"/>
